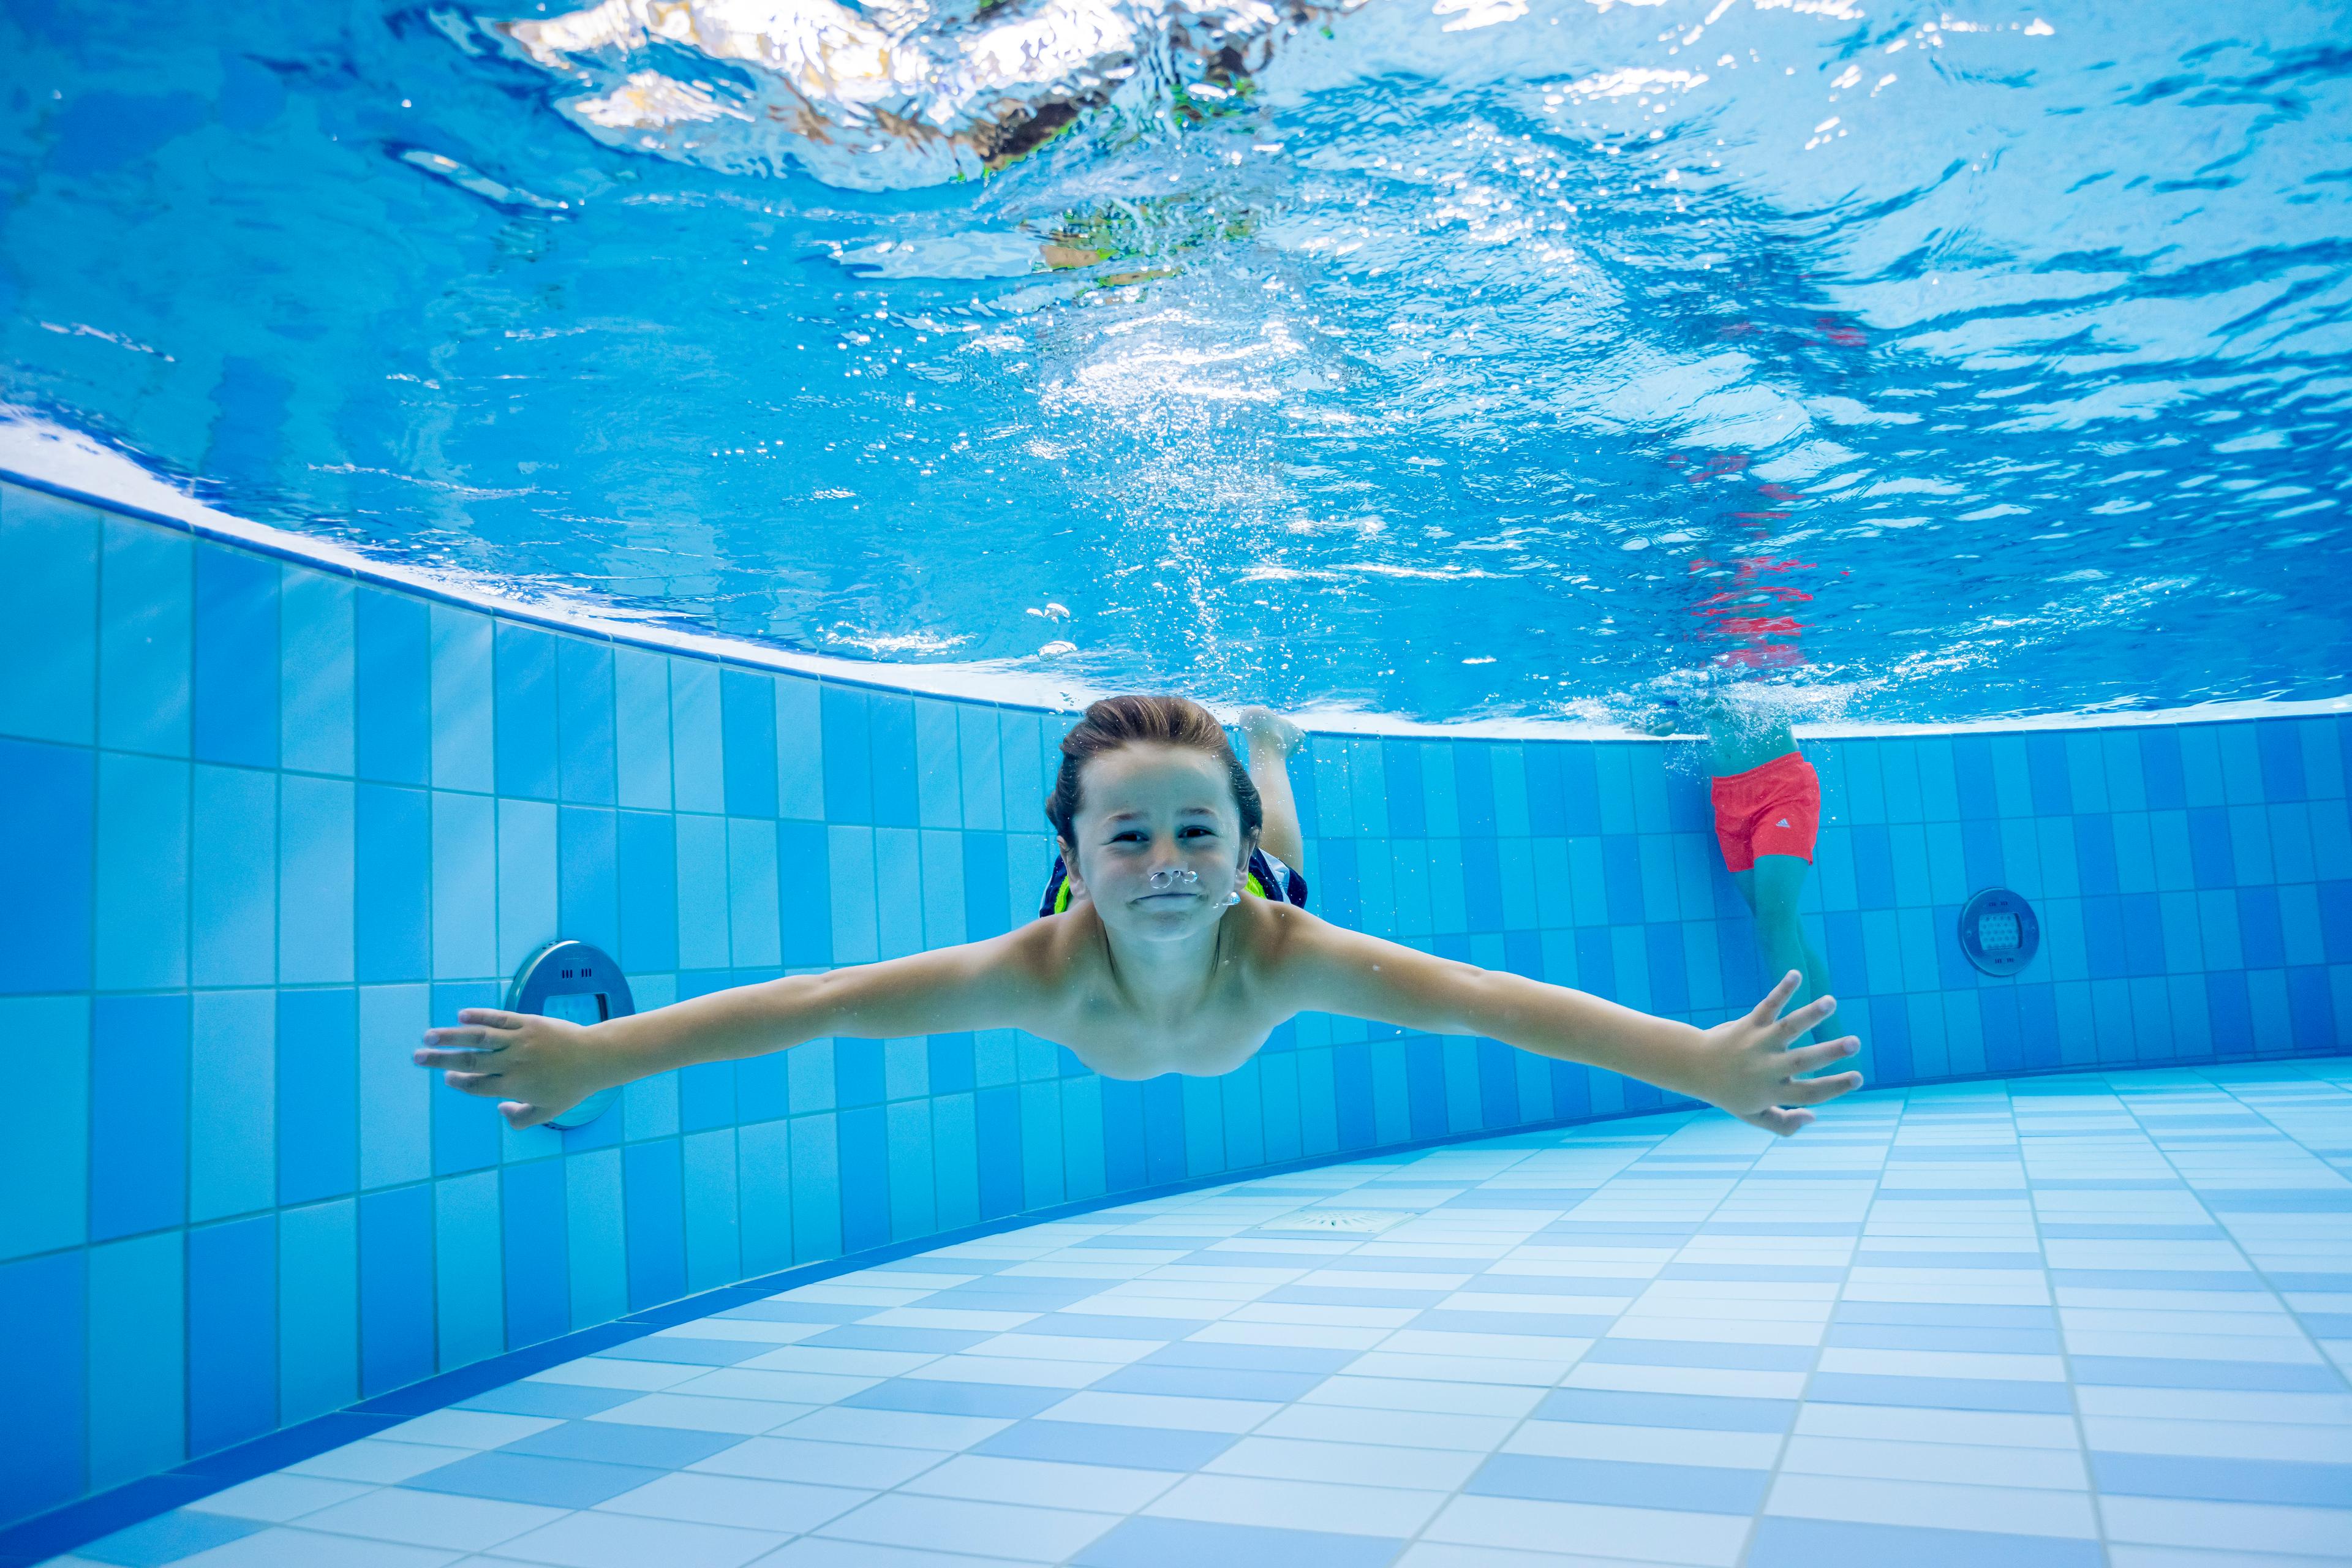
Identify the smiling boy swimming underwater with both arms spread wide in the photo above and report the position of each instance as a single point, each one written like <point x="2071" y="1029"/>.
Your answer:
<point x="1180" y="946"/>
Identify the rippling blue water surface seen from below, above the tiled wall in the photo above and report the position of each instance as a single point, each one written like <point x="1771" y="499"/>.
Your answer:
<point x="1438" y="361"/>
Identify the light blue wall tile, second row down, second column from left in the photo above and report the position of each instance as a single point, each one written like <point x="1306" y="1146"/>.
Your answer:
<point x="142" y="878"/>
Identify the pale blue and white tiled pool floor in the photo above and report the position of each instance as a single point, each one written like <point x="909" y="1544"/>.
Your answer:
<point x="2052" y="1322"/>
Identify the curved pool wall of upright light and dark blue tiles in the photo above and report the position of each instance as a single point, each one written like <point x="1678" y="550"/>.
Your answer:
<point x="260" y="824"/>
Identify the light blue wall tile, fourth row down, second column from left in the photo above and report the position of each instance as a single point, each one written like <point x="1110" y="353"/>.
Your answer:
<point x="138" y="1369"/>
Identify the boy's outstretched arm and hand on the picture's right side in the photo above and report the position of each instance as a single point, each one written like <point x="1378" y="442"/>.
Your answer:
<point x="1742" y="1066"/>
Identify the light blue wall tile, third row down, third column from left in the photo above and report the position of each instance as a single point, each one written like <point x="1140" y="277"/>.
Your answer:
<point x="234" y="1104"/>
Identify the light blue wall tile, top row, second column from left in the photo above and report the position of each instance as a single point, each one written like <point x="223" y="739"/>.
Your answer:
<point x="147" y="638"/>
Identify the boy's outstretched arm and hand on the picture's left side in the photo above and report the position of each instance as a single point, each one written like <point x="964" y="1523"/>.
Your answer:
<point x="542" y="1066"/>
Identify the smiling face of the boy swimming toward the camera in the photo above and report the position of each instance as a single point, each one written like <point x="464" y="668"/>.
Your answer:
<point x="1158" y="810"/>
